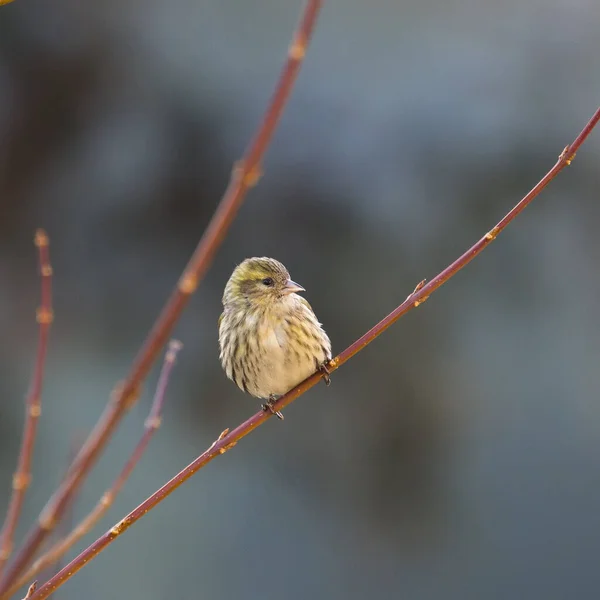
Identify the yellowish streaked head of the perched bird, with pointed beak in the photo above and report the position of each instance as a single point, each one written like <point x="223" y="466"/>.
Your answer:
<point x="259" y="282"/>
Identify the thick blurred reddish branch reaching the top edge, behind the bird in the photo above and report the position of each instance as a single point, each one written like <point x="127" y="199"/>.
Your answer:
<point x="246" y="174"/>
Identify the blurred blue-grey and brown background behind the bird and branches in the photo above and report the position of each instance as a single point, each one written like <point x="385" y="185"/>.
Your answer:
<point x="456" y="457"/>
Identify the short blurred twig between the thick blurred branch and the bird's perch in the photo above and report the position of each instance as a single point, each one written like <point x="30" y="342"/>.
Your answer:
<point x="151" y="426"/>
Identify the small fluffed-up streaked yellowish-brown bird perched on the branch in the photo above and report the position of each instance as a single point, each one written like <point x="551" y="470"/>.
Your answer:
<point x="269" y="336"/>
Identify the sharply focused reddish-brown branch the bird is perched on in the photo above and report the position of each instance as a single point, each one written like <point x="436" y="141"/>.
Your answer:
<point x="228" y="439"/>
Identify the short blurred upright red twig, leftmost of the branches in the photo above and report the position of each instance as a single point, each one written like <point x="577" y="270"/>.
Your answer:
<point x="33" y="403"/>
